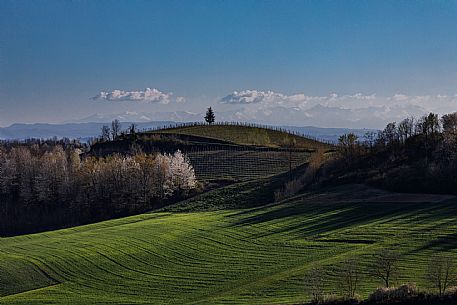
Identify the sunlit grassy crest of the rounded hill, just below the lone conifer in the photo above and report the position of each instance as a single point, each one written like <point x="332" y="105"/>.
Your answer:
<point x="245" y="135"/>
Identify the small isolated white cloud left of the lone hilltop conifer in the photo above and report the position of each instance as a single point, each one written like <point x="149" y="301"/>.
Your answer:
<point x="147" y="95"/>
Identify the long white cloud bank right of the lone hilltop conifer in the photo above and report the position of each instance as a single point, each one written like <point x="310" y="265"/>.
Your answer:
<point x="351" y="110"/>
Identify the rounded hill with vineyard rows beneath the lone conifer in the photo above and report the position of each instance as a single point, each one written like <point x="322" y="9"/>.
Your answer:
<point x="224" y="152"/>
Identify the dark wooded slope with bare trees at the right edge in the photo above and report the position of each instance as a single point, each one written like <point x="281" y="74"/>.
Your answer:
<point x="415" y="155"/>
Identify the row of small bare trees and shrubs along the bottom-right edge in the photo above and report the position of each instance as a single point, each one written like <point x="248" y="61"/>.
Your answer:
<point x="440" y="277"/>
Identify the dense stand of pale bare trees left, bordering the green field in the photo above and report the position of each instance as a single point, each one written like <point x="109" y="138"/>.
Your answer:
<point x="45" y="187"/>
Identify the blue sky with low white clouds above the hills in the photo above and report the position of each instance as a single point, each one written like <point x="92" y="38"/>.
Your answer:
<point x="323" y="63"/>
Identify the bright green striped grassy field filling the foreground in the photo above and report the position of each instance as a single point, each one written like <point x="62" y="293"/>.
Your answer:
<point x="239" y="256"/>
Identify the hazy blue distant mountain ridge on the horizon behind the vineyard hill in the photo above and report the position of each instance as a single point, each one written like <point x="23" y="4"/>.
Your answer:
<point x="87" y="130"/>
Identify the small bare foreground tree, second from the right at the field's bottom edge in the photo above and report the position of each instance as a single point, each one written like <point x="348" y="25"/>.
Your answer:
<point x="385" y="266"/>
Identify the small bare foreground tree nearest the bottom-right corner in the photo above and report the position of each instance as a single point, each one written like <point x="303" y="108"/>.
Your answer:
<point x="441" y="272"/>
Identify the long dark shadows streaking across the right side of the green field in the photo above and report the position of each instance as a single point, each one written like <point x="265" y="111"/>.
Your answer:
<point x="312" y="216"/>
